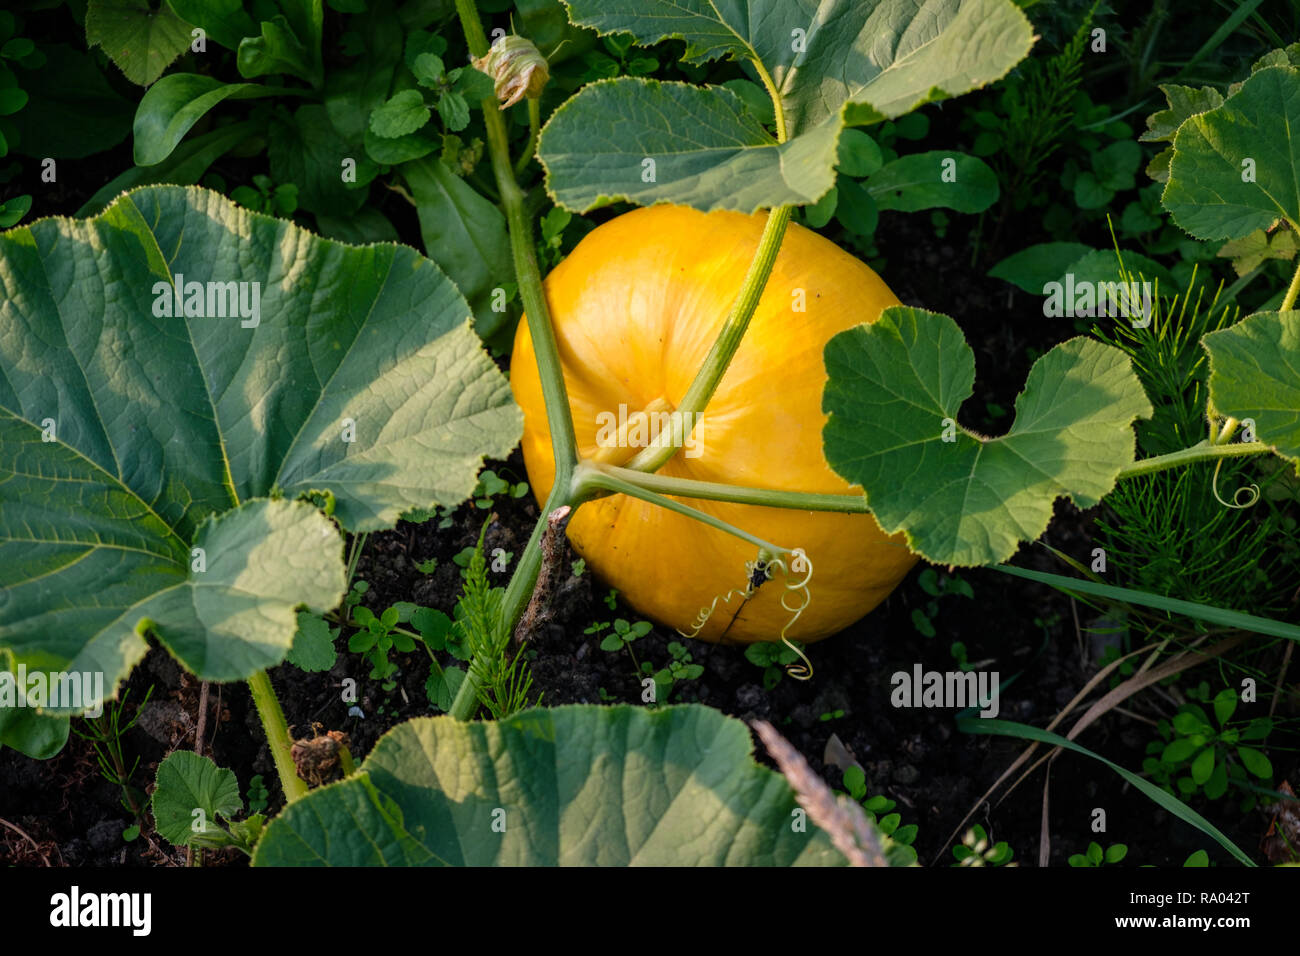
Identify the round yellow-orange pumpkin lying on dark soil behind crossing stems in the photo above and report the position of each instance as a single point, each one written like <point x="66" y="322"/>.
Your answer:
<point x="636" y="309"/>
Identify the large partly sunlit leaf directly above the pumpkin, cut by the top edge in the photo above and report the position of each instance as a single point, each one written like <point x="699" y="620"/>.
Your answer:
<point x="831" y="63"/>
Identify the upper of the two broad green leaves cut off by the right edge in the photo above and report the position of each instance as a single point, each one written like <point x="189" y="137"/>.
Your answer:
<point x="1237" y="168"/>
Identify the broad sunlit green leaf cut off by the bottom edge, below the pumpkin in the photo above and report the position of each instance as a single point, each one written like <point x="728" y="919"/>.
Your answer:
<point x="578" y="786"/>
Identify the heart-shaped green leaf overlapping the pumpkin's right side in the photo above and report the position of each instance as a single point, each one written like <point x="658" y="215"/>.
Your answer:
<point x="896" y="388"/>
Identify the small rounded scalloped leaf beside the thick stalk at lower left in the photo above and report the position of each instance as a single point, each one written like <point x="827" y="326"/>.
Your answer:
<point x="188" y="782"/>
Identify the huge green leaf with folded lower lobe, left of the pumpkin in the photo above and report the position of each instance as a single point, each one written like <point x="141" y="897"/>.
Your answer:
<point x="124" y="431"/>
